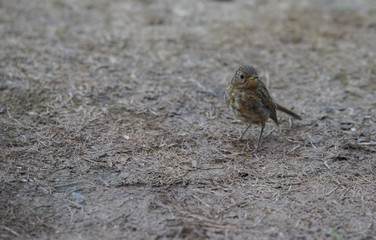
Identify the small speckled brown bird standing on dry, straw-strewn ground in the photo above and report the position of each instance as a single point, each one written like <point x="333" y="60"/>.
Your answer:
<point x="248" y="98"/>
